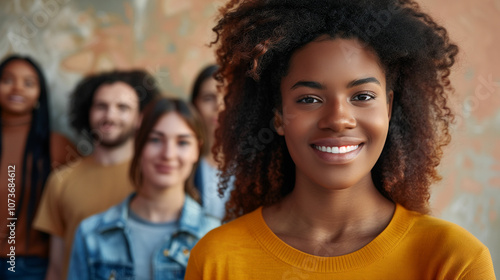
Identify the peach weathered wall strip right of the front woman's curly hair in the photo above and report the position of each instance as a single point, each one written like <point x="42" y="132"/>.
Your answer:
<point x="469" y="194"/>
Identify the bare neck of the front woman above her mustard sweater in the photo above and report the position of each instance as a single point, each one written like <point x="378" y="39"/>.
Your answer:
<point x="322" y="214"/>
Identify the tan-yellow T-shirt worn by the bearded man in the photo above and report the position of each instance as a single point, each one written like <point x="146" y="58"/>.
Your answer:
<point x="77" y="191"/>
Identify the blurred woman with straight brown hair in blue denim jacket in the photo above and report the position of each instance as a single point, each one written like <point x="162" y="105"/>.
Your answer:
<point x="150" y="234"/>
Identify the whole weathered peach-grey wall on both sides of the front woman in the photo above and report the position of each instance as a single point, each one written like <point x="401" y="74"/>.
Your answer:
<point x="169" y="38"/>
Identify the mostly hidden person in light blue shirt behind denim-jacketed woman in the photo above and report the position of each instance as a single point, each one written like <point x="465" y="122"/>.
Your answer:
<point x="209" y="101"/>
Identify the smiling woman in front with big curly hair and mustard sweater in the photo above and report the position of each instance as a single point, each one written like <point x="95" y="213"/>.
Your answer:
<point x="336" y="116"/>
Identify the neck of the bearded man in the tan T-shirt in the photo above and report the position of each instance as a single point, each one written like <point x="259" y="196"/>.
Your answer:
<point x="113" y="155"/>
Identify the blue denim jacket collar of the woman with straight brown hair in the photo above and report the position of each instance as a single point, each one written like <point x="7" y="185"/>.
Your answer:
<point x="191" y="214"/>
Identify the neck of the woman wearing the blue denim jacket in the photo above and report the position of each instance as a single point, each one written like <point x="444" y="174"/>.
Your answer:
<point x="159" y="205"/>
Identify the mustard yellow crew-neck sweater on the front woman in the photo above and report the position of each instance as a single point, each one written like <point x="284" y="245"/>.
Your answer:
<point x="413" y="246"/>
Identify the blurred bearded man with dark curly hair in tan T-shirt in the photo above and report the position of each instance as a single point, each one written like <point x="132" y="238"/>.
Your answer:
<point x="105" y="108"/>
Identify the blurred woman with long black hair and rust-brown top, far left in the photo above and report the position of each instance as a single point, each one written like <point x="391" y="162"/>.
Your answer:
<point x="28" y="152"/>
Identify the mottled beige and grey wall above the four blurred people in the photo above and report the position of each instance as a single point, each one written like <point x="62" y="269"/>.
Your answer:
<point x="71" y="38"/>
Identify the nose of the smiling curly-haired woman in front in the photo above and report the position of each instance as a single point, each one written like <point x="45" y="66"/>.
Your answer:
<point x="337" y="116"/>
